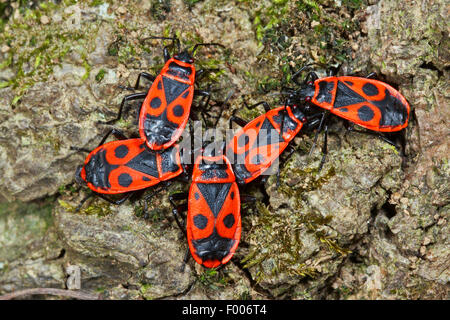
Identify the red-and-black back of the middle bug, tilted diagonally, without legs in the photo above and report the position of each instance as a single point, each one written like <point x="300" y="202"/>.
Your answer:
<point x="255" y="147"/>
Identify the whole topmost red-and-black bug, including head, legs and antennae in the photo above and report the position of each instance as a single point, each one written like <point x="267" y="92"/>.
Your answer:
<point x="166" y="107"/>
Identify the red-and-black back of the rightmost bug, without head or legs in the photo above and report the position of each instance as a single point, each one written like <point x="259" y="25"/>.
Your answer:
<point x="369" y="103"/>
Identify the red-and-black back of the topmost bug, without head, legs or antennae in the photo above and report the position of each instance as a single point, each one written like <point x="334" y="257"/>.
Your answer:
<point x="165" y="111"/>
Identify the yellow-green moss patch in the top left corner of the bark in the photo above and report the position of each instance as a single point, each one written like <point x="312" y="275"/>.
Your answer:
<point x="48" y="45"/>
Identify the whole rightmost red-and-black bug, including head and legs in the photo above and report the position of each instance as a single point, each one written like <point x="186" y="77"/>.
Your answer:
<point x="367" y="102"/>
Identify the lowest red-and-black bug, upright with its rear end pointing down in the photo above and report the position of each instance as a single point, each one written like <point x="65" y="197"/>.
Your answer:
<point x="213" y="223"/>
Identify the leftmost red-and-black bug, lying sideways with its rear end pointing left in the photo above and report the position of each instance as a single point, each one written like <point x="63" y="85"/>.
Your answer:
<point x="127" y="165"/>
